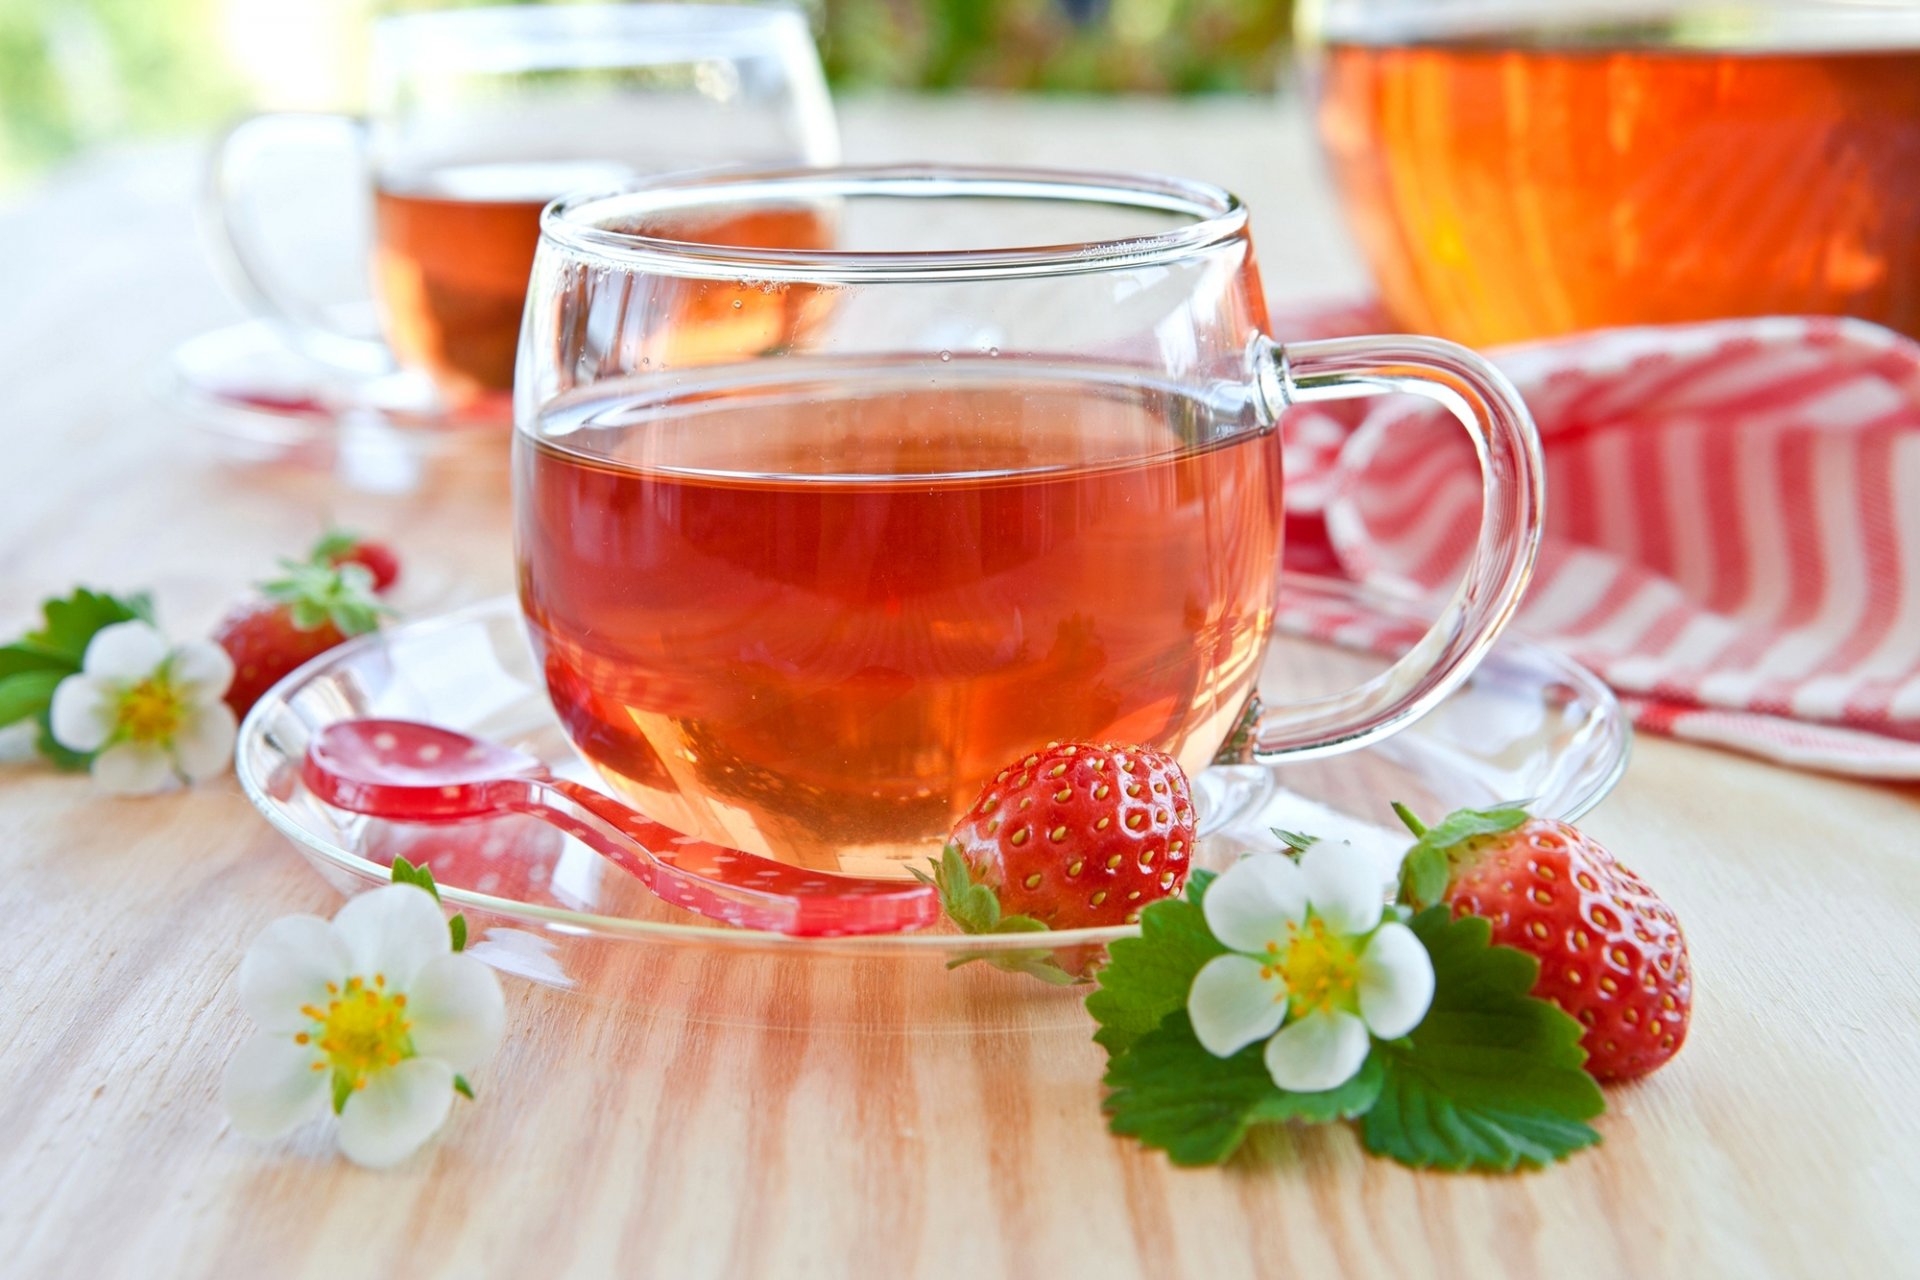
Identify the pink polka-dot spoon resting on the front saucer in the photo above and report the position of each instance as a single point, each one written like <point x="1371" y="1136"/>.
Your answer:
<point x="414" y="772"/>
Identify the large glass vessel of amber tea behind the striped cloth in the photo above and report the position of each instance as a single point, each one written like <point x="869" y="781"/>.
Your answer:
<point x="1531" y="168"/>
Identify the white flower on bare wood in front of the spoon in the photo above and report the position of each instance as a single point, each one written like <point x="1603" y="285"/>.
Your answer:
<point x="373" y="1010"/>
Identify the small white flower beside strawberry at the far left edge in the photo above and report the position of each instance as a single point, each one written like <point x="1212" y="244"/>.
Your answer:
<point x="147" y="711"/>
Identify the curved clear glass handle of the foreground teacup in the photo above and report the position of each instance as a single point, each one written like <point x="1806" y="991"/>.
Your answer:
<point x="1514" y="502"/>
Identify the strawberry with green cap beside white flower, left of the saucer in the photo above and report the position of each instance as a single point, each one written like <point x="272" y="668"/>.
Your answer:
<point x="297" y="619"/>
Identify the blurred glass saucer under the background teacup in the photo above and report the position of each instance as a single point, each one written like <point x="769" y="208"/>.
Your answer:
<point x="258" y="400"/>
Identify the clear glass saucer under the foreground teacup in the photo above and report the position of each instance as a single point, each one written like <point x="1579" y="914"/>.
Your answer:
<point x="1527" y="726"/>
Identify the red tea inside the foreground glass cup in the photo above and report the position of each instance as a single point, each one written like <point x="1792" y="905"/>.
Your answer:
<point x="811" y="621"/>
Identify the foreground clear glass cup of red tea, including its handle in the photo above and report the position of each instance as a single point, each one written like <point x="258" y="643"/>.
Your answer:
<point x="813" y="542"/>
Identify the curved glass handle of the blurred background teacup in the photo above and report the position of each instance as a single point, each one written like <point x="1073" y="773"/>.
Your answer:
<point x="241" y="245"/>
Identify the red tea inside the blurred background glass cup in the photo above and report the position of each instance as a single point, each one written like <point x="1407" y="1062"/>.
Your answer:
<point x="454" y="254"/>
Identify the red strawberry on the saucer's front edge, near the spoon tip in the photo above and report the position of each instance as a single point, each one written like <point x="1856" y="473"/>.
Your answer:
<point x="1082" y="836"/>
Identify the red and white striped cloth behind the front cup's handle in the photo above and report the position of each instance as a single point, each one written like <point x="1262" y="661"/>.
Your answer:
<point x="1733" y="525"/>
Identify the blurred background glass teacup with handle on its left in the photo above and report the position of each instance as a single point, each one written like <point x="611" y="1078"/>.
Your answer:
<point x="477" y="120"/>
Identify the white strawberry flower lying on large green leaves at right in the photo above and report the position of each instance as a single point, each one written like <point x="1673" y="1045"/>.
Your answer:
<point x="1312" y="968"/>
